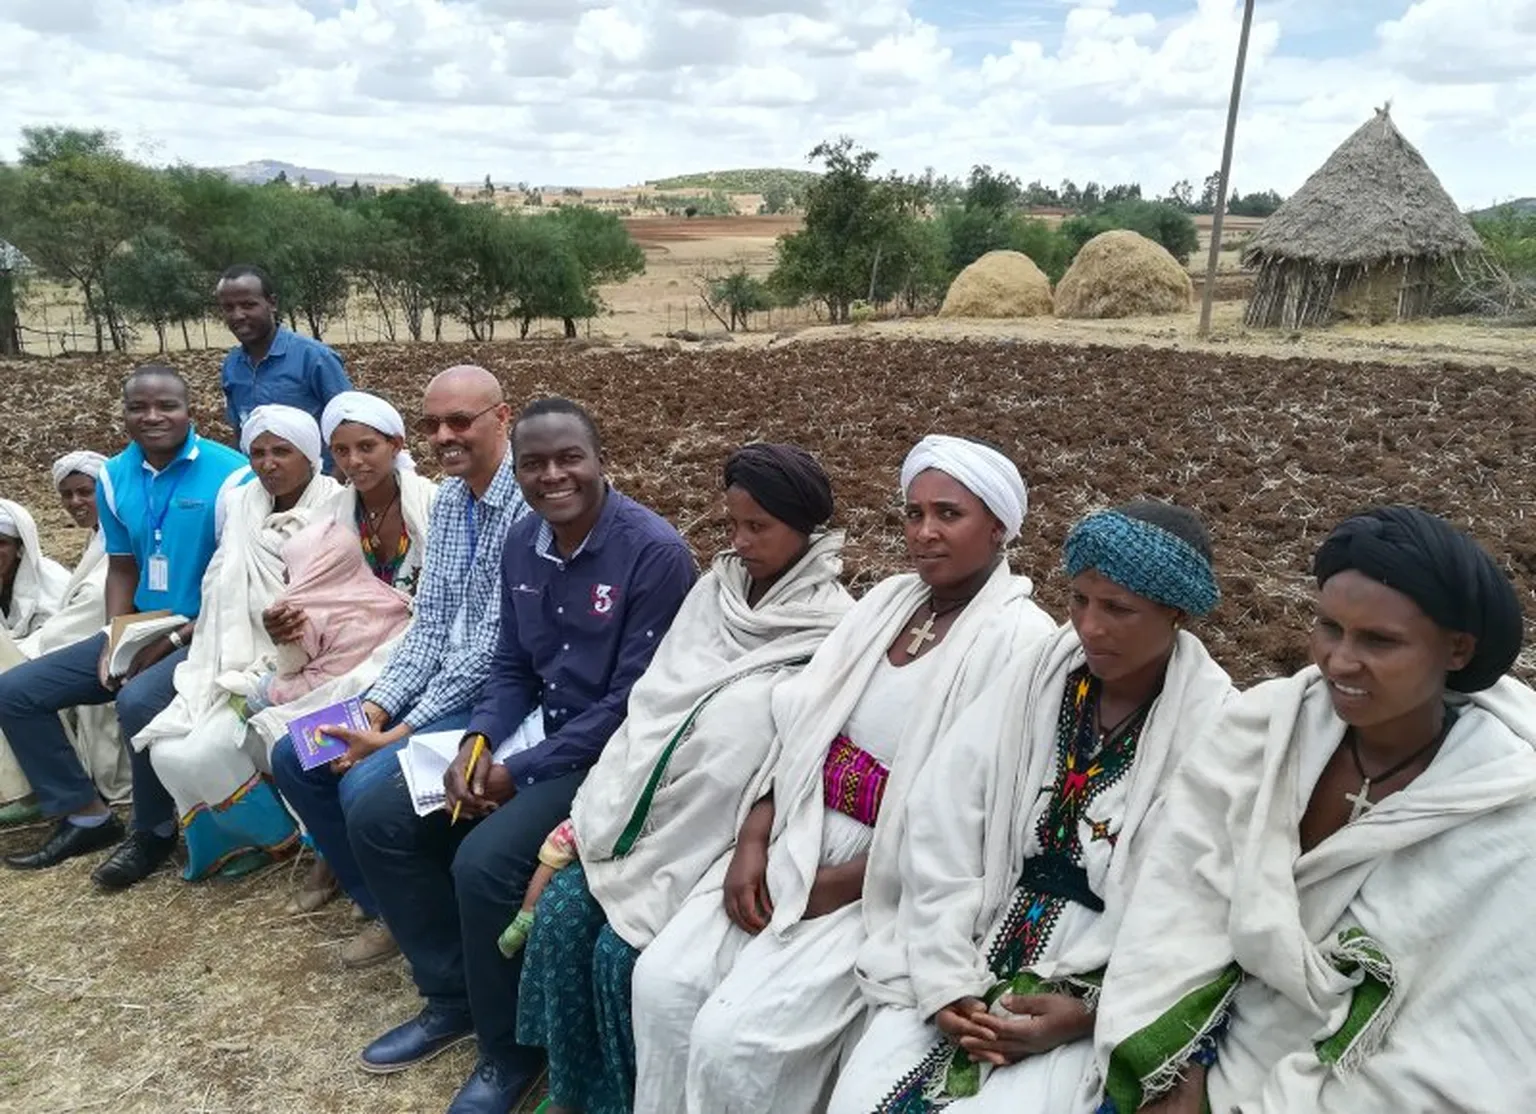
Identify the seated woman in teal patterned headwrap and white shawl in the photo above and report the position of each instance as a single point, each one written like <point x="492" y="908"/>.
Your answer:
<point x="1027" y="832"/>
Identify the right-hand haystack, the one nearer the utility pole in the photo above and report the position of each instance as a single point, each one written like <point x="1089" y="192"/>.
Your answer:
<point x="1124" y="274"/>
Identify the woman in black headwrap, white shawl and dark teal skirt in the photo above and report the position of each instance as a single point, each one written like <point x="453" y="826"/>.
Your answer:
<point x="663" y="806"/>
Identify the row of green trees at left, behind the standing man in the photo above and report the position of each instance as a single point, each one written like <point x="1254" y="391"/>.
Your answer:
<point x="145" y="245"/>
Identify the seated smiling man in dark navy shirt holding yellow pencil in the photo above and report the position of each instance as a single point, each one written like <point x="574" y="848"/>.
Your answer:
<point x="591" y="583"/>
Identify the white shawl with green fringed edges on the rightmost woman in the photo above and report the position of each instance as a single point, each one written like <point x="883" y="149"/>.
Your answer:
<point x="1437" y="875"/>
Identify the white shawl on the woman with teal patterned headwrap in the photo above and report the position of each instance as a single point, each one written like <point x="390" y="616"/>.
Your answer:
<point x="970" y="824"/>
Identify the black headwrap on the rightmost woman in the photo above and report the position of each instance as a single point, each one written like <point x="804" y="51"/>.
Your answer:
<point x="1443" y="571"/>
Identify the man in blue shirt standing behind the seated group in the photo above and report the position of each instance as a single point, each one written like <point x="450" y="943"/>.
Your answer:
<point x="271" y="363"/>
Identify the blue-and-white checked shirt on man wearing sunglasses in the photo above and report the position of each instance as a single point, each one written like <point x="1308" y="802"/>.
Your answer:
<point x="445" y="657"/>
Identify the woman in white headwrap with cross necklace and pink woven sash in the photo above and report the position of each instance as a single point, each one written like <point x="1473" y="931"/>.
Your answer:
<point x="750" y="1001"/>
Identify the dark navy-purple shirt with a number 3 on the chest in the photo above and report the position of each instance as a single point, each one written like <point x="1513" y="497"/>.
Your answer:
<point x="577" y="634"/>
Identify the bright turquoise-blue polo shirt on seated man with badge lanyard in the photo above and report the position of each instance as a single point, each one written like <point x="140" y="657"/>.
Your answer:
<point x="182" y="503"/>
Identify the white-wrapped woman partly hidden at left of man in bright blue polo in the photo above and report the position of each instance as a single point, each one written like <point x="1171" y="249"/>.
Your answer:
<point x="82" y="614"/>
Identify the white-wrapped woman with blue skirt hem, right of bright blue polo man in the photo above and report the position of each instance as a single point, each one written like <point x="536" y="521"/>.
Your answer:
<point x="199" y="746"/>
